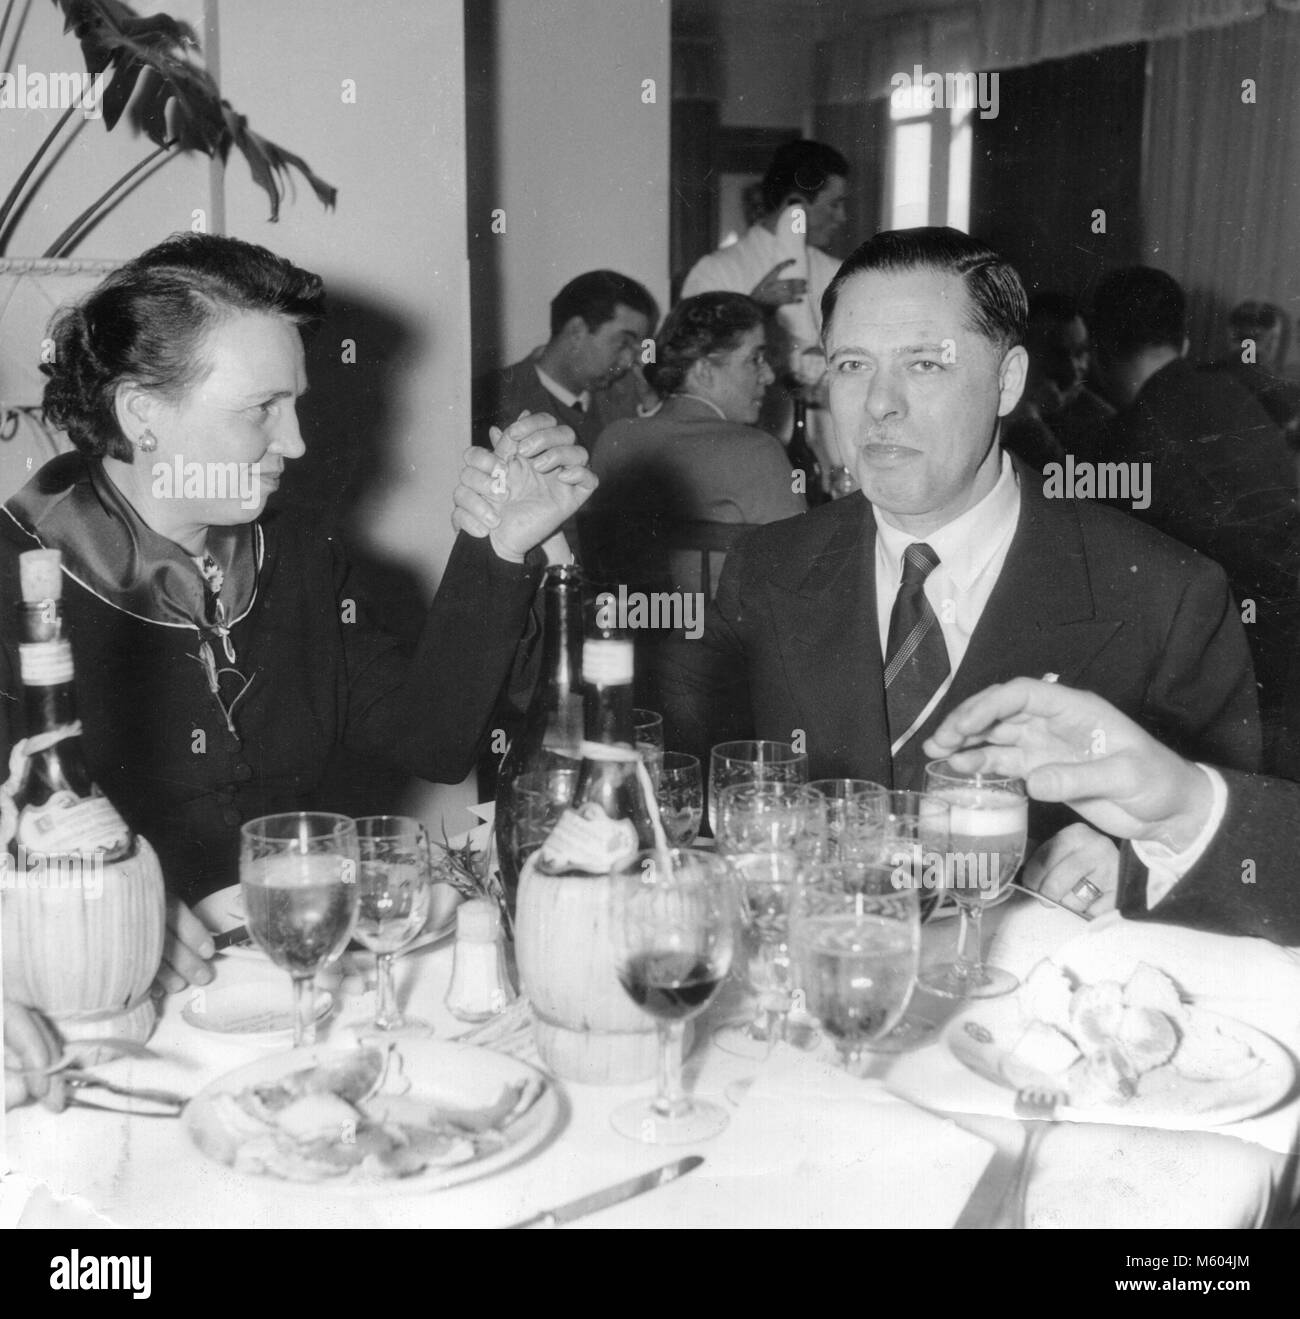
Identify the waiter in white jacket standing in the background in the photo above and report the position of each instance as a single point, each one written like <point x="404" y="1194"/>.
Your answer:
<point x="781" y="264"/>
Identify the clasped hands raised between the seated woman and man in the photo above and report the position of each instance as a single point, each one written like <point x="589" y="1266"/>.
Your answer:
<point x="527" y="489"/>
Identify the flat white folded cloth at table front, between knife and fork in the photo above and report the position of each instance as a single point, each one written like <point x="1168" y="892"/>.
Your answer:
<point x="813" y="1147"/>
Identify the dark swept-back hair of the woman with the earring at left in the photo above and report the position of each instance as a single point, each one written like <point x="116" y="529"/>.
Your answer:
<point x="148" y="321"/>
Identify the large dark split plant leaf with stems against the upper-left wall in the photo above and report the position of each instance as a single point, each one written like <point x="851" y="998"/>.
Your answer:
<point x="152" y="61"/>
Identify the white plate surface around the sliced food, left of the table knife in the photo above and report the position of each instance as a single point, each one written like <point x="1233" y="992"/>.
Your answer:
<point x="427" y="1072"/>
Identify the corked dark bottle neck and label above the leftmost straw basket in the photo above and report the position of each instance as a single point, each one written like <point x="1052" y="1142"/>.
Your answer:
<point x="59" y="811"/>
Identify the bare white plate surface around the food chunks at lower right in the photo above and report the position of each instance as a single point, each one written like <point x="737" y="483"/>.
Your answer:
<point x="984" y="1036"/>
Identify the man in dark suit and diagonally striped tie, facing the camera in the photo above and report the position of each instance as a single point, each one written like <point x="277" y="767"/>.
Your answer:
<point x="856" y="629"/>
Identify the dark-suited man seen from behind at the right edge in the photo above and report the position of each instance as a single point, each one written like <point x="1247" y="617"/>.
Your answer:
<point x="1222" y="479"/>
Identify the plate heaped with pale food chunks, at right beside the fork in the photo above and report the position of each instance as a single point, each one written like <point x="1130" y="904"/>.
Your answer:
<point x="1132" y="1053"/>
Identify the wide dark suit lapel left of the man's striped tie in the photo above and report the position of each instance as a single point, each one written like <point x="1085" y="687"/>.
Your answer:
<point x="823" y="609"/>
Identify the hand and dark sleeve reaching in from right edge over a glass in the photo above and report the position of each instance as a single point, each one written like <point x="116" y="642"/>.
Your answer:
<point x="1193" y="829"/>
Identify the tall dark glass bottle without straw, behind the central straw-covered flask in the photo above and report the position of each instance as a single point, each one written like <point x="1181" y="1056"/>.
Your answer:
<point x="539" y="774"/>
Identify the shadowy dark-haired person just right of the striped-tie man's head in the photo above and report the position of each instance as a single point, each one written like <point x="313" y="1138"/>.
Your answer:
<point x="1058" y="415"/>
